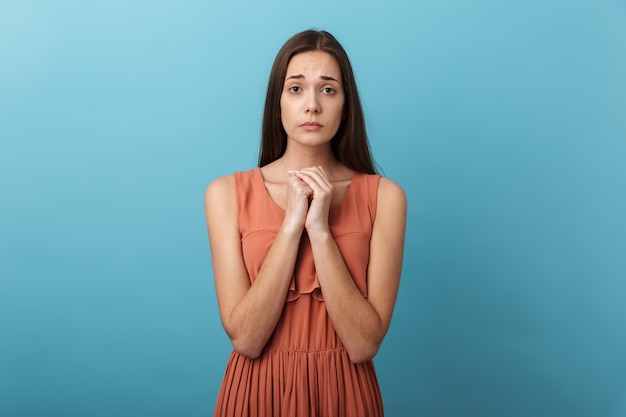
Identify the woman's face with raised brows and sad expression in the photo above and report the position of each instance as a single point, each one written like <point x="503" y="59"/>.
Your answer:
<point x="312" y="100"/>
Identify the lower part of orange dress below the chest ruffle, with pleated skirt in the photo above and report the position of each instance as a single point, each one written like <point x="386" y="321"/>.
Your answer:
<point x="304" y="371"/>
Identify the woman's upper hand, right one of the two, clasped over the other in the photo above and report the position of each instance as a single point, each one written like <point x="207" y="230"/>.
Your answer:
<point x="318" y="182"/>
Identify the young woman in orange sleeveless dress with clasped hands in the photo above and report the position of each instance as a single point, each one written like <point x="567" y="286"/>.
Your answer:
<point x="307" y="248"/>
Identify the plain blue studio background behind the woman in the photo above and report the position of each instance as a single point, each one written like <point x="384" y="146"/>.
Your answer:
<point x="505" y="122"/>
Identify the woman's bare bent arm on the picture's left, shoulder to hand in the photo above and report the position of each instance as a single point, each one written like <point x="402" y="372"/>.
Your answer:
<point x="249" y="313"/>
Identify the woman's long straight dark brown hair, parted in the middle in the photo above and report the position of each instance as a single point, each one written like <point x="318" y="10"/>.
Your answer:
<point x="350" y="145"/>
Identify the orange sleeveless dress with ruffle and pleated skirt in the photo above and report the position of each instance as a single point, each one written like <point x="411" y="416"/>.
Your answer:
<point x="304" y="370"/>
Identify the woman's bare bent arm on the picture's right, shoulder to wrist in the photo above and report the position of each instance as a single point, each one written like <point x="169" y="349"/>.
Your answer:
<point x="361" y="323"/>
